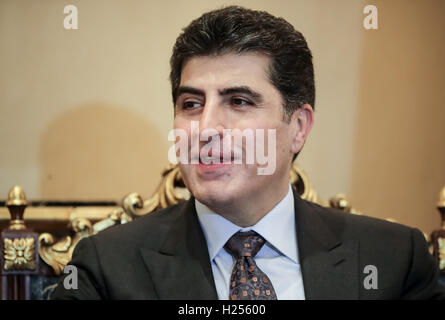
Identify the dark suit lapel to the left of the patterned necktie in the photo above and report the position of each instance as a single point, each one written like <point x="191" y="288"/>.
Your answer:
<point x="181" y="268"/>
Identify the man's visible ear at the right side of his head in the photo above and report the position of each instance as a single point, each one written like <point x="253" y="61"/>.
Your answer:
<point x="303" y="120"/>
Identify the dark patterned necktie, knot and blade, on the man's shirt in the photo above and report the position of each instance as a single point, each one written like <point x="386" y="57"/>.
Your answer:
<point x="248" y="282"/>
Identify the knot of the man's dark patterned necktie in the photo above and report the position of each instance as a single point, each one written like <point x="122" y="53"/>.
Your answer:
<point x="244" y="244"/>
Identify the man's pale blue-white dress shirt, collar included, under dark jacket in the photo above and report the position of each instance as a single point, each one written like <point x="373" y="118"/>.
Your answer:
<point x="278" y="258"/>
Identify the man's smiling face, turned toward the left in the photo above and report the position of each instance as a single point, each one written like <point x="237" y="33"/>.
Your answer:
<point x="232" y="91"/>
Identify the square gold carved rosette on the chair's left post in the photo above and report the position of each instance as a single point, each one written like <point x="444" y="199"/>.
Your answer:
<point x="19" y="254"/>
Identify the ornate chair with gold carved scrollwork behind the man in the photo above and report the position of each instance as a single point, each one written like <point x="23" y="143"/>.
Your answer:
<point x="55" y="252"/>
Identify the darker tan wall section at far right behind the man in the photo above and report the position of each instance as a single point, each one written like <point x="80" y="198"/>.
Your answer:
<point x="399" y="150"/>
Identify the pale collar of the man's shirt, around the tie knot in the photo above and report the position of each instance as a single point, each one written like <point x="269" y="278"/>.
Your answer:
<point x="277" y="227"/>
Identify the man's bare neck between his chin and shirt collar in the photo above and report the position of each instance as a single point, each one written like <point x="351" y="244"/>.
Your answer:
<point x="247" y="212"/>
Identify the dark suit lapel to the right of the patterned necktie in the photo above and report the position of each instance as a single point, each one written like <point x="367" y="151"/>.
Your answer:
<point x="329" y="264"/>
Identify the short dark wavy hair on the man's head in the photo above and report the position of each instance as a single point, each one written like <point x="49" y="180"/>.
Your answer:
<point x="237" y="29"/>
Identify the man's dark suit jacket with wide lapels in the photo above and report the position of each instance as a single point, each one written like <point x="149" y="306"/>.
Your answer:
<point x="164" y="256"/>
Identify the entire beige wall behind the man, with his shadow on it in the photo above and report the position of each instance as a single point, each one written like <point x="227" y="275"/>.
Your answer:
<point x="84" y="114"/>
